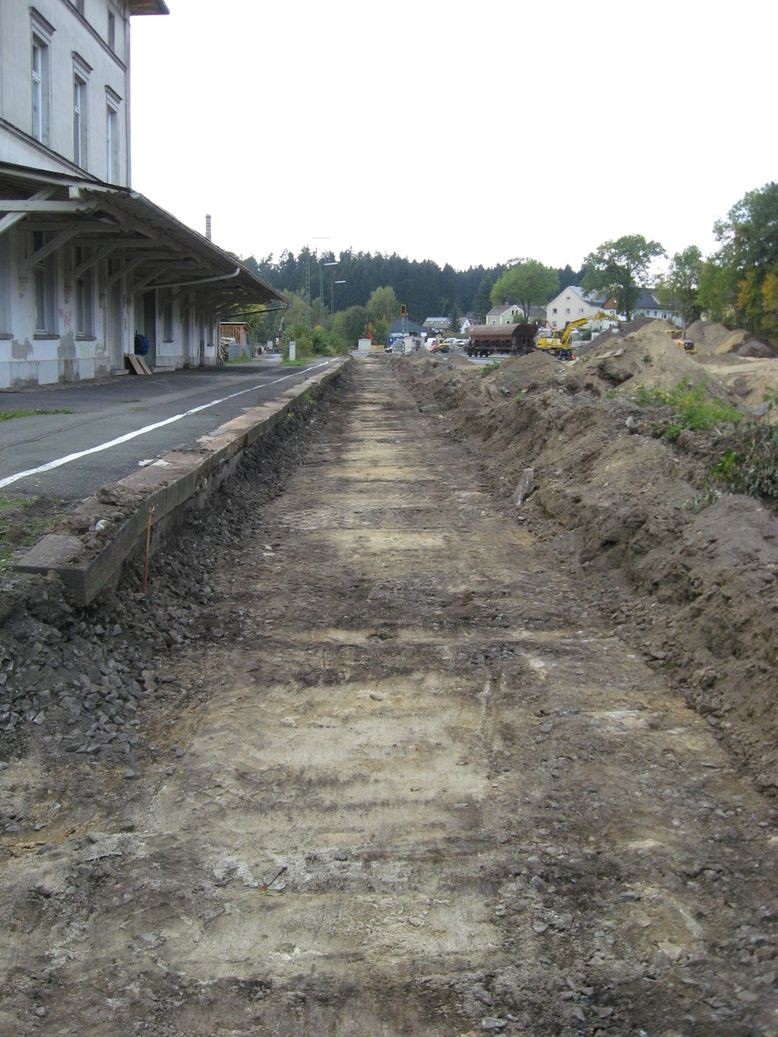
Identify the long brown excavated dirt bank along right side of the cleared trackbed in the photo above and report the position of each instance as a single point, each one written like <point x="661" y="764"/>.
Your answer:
<point x="689" y="574"/>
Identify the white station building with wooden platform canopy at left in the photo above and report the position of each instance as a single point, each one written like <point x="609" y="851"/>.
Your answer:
<point x="90" y="270"/>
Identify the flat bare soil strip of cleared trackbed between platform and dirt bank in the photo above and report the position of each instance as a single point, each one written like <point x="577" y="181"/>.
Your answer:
<point x="403" y="776"/>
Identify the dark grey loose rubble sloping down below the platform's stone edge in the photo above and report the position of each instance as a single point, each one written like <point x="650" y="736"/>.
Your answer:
<point x="75" y="681"/>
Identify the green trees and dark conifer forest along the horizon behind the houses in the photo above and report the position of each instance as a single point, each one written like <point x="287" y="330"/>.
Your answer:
<point x="335" y="300"/>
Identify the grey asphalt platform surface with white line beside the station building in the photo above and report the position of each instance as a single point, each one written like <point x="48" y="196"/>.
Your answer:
<point x="114" y="428"/>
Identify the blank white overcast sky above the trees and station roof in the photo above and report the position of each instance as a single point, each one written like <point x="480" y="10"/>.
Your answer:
<point x="461" y="133"/>
